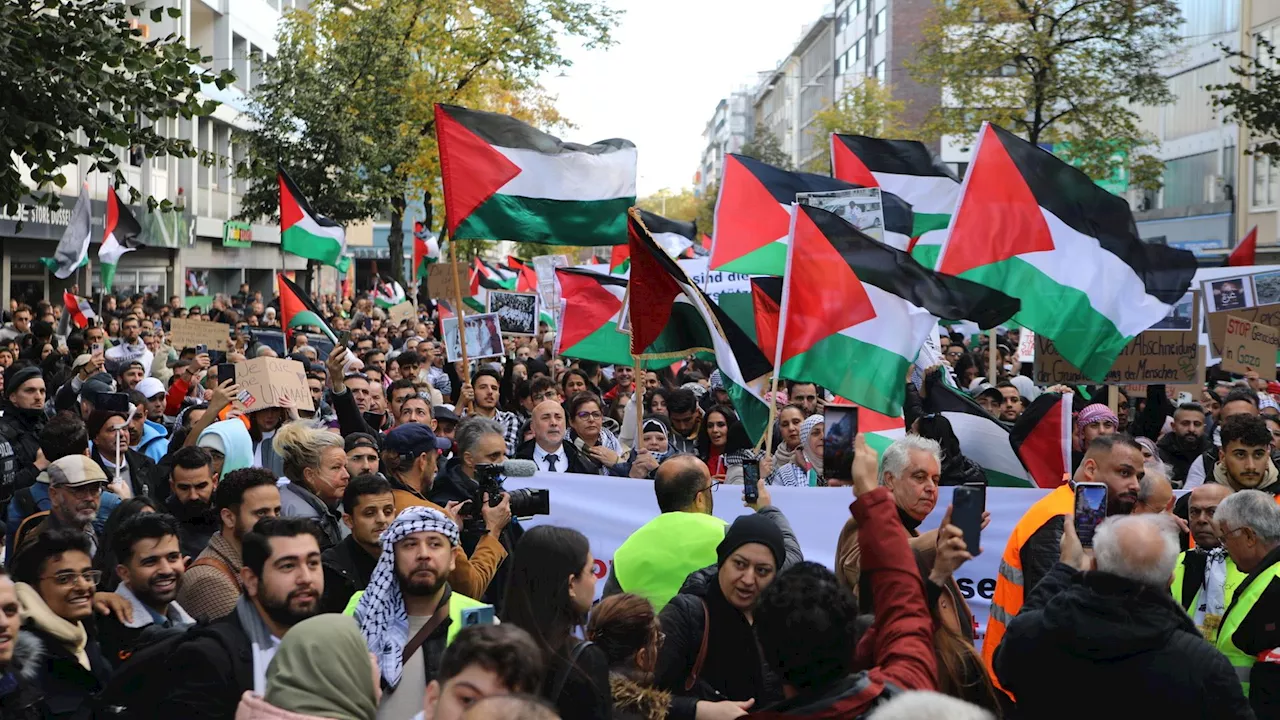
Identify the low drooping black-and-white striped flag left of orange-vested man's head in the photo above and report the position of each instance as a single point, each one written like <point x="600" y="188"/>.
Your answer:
<point x="982" y="439"/>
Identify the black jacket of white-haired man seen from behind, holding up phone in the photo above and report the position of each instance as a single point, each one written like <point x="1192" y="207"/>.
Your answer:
<point x="1128" y="649"/>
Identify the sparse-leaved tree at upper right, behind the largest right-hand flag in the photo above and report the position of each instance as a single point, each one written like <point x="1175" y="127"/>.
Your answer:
<point x="1064" y="72"/>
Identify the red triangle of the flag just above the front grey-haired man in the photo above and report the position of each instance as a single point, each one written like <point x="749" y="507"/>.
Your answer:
<point x="824" y="294"/>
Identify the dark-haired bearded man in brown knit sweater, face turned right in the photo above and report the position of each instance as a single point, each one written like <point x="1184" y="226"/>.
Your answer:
<point x="213" y="585"/>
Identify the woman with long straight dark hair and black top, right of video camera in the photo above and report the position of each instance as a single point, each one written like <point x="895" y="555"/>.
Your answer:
<point x="550" y="590"/>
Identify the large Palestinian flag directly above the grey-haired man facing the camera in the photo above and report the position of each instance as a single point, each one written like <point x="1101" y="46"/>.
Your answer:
<point x="889" y="307"/>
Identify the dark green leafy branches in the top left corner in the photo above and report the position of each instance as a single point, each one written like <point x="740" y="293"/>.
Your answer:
<point x="79" y="83"/>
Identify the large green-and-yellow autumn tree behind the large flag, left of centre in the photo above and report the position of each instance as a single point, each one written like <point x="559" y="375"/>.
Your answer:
<point x="349" y="102"/>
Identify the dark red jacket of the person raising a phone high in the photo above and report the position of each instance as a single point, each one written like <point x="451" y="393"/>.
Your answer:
<point x="899" y="648"/>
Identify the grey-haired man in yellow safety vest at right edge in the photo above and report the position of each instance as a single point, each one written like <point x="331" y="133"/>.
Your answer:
<point x="1249" y="522"/>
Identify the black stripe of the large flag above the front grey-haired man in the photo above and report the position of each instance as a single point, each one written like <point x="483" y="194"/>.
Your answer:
<point x="898" y="274"/>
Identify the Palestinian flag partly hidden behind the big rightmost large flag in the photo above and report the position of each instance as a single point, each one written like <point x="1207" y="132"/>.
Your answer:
<point x="909" y="171"/>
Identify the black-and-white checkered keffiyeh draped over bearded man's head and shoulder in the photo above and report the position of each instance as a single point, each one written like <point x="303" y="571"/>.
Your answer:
<point x="381" y="612"/>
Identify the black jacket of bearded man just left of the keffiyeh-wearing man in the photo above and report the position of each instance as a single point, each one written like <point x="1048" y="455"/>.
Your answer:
<point x="209" y="672"/>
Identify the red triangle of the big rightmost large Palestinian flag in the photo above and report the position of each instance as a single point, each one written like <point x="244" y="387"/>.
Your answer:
<point x="999" y="217"/>
